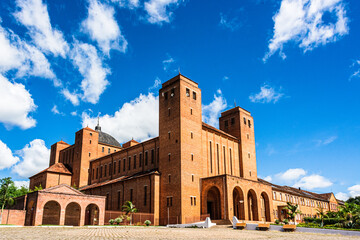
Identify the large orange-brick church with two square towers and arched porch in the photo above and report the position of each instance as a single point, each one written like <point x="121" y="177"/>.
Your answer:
<point x="190" y="171"/>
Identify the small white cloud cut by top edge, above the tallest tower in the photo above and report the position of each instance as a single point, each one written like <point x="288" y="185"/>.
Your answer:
<point x="159" y="11"/>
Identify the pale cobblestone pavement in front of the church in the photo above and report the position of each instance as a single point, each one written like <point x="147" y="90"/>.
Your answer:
<point x="219" y="232"/>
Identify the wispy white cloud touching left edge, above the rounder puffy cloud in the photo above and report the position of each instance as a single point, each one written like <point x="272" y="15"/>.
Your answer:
<point x="26" y="59"/>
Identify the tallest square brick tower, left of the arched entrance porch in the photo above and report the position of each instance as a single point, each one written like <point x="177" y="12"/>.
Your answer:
<point x="180" y="127"/>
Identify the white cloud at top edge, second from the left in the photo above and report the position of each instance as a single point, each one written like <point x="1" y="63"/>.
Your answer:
<point x="103" y="28"/>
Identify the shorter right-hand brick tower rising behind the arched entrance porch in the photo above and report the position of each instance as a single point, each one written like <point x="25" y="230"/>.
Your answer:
<point x="239" y="123"/>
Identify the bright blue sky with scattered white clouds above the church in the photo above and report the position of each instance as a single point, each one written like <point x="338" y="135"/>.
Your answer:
<point x="295" y="64"/>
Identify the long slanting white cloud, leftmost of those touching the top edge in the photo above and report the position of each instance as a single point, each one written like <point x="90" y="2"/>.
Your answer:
<point x="34" y="16"/>
